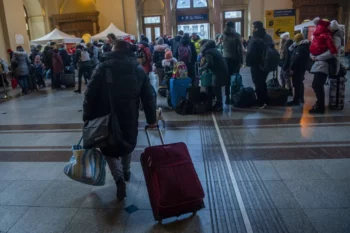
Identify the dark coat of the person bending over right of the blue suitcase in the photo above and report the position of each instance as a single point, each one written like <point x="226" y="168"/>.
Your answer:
<point x="215" y="62"/>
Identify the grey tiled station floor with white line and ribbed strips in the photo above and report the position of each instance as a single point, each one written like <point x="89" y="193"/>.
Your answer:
<point x="273" y="170"/>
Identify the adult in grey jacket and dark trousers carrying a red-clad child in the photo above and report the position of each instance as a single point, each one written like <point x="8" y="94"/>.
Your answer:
<point x="321" y="67"/>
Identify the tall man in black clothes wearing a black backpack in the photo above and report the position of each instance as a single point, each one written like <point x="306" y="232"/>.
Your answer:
<point x="256" y="47"/>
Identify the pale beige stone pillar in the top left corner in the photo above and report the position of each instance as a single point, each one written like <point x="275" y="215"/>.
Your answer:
<point x="14" y="23"/>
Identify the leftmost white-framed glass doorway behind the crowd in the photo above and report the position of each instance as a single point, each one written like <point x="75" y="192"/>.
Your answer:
<point x="152" y="27"/>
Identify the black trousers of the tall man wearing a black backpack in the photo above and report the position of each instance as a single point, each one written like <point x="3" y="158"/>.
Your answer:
<point x="259" y="78"/>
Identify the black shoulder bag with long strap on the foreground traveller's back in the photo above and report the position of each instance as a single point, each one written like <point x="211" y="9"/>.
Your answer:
<point x="104" y="131"/>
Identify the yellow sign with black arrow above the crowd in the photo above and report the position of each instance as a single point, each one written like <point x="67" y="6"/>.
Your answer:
<point x="279" y="21"/>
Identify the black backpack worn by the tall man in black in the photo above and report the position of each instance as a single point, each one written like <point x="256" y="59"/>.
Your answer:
<point x="270" y="58"/>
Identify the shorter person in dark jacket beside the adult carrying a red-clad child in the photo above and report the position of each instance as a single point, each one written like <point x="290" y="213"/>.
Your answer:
<point x="299" y="58"/>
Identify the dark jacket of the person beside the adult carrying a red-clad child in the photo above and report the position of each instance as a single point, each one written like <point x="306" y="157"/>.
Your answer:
<point x="300" y="57"/>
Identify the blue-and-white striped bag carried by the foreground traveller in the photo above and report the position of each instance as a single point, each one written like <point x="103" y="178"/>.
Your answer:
<point x="86" y="166"/>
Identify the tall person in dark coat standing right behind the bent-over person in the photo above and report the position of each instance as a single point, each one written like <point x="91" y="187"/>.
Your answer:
<point x="233" y="55"/>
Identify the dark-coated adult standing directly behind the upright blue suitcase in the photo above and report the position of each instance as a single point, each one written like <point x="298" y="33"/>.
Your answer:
<point x="186" y="41"/>
